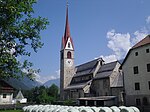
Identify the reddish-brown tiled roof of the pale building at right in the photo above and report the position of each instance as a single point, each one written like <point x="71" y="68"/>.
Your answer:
<point x="144" y="41"/>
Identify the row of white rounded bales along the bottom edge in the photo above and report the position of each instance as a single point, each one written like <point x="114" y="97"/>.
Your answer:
<point x="59" y="108"/>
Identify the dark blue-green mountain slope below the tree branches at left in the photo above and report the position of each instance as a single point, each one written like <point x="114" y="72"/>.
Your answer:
<point x="23" y="83"/>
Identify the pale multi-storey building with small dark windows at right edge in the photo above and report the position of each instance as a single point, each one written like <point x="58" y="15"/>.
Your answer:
<point x="136" y="71"/>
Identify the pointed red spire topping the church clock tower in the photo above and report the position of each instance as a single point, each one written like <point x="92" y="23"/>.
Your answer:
<point x="67" y="34"/>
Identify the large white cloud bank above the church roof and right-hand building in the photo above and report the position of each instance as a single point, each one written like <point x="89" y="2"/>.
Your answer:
<point x="120" y="43"/>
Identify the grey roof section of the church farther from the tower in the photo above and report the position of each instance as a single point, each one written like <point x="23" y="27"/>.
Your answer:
<point x="105" y="70"/>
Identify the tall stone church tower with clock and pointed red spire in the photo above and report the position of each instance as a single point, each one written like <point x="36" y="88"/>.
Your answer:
<point x="66" y="60"/>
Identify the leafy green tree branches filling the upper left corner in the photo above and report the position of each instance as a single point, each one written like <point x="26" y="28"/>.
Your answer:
<point x="19" y="30"/>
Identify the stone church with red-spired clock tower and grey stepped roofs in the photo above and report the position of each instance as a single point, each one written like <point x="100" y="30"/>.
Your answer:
<point x="93" y="83"/>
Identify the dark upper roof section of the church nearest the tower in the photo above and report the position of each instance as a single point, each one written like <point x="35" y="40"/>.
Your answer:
<point x="87" y="68"/>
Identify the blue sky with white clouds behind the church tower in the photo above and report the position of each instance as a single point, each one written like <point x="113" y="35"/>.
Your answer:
<point x="99" y="28"/>
